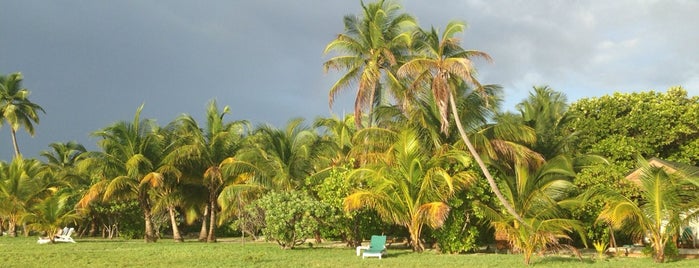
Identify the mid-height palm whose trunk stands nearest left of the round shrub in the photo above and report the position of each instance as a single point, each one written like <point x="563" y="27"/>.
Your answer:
<point x="203" y="152"/>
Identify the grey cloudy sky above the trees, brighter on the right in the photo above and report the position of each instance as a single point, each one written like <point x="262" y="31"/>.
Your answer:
<point x="92" y="63"/>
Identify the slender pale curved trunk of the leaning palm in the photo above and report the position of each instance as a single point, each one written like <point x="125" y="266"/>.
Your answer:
<point x="481" y="164"/>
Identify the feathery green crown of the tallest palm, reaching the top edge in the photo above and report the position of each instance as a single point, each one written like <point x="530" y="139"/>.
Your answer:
<point x="368" y="50"/>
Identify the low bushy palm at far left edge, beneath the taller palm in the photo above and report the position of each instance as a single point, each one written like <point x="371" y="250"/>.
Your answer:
<point x="21" y="186"/>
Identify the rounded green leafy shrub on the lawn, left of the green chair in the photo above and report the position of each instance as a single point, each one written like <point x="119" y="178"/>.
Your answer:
<point x="289" y="217"/>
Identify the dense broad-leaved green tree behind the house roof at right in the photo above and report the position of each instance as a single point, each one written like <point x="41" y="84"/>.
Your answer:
<point x="650" y="124"/>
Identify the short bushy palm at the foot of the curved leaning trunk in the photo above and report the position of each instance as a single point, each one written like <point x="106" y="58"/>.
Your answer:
<point x="539" y="194"/>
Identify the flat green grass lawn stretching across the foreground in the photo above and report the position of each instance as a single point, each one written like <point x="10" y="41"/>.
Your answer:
<point x="25" y="252"/>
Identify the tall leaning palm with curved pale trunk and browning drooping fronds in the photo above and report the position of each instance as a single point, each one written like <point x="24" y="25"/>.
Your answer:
<point x="444" y="65"/>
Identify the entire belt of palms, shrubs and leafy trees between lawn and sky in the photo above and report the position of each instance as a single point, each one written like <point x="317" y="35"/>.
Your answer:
<point x="428" y="157"/>
